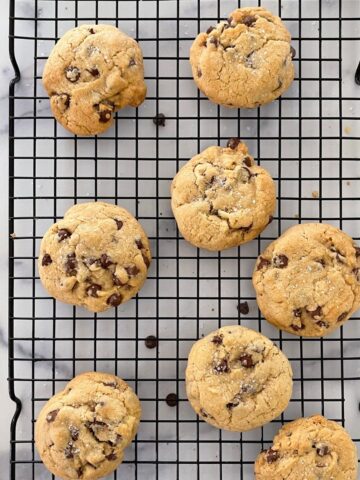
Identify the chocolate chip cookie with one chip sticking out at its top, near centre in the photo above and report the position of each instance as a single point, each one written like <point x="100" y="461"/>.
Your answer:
<point x="221" y="199"/>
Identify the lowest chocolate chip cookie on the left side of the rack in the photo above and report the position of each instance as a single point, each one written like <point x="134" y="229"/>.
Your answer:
<point x="82" y="432"/>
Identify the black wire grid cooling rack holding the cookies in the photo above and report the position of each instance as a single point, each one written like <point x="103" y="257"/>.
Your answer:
<point x="309" y="140"/>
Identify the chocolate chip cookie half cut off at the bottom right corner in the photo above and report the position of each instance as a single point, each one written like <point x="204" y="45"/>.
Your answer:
<point x="309" y="448"/>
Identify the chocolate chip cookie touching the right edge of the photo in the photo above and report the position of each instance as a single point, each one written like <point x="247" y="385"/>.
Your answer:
<point x="307" y="281"/>
